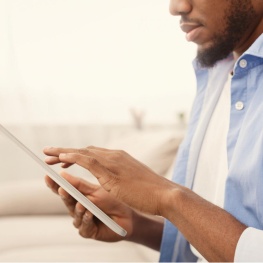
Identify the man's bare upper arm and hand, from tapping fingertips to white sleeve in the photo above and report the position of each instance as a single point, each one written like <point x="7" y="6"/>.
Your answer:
<point x="211" y="230"/>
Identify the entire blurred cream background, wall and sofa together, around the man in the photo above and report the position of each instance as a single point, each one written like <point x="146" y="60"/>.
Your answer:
<point x="73" y="73"/>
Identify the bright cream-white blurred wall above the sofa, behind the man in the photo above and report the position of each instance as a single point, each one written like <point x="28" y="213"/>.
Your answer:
<point x="91" y="61"/>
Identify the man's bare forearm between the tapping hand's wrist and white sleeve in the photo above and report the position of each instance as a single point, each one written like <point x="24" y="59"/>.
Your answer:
<point x="210" y="229"/>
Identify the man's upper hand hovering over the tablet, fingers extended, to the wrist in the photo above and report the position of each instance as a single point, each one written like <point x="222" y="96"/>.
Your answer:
<point x="119" y="174"/>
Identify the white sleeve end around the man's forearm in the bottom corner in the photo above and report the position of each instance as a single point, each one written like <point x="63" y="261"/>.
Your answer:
<point x="250" y="246"/>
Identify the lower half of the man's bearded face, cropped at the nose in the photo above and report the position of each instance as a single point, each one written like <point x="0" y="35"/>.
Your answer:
<point x="218" y="27"/>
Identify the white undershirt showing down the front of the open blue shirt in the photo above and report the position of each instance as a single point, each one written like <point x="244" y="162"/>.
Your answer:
<point x="212" y="167"/>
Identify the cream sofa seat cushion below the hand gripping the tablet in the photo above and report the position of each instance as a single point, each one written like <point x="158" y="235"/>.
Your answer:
<point x="54" y="239"/>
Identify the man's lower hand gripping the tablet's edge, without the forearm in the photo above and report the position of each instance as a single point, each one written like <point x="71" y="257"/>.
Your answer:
<point x="89" y="226"/>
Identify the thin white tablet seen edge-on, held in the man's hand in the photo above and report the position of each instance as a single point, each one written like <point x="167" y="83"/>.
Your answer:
<point x="68" y="187"/>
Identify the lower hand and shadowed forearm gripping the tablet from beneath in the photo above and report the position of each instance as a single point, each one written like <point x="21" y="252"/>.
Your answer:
<point x="90" y="227"/>
